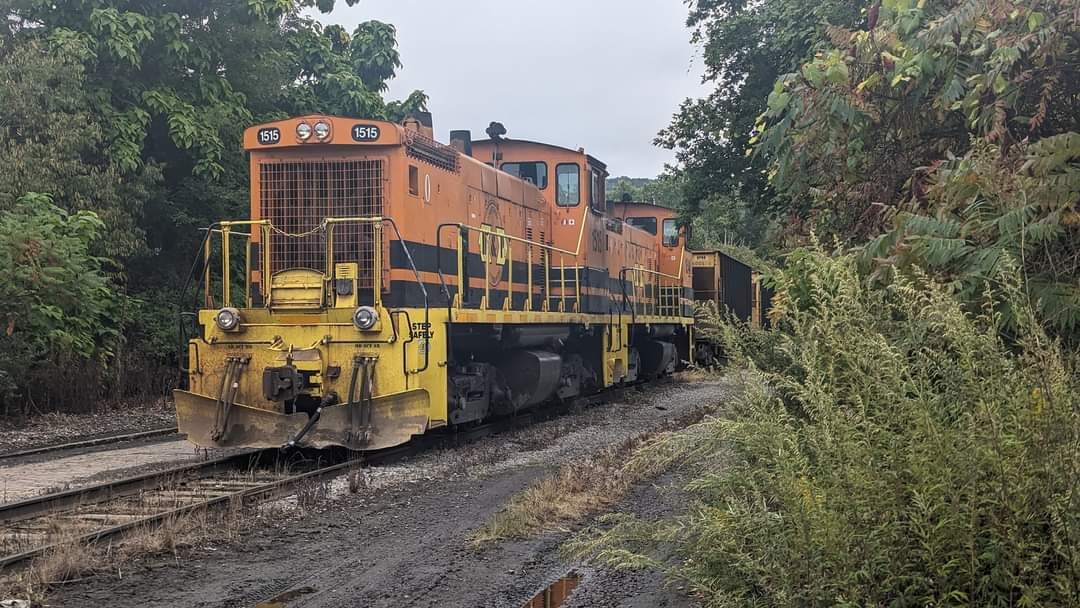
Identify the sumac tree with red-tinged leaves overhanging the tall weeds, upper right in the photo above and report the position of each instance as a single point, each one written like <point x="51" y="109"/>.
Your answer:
<point x="947" y="134"/>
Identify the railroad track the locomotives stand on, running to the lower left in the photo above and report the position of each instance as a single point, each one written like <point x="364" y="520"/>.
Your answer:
<point x="35" y="526"/>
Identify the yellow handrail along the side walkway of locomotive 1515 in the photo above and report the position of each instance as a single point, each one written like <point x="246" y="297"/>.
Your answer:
<point x="494" y="242"/>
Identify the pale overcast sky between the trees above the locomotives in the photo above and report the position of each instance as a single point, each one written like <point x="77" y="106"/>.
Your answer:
<point x="603" y="75"/>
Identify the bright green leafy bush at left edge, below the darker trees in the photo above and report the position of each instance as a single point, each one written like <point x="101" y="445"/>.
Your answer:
<point x="59" y="305"/>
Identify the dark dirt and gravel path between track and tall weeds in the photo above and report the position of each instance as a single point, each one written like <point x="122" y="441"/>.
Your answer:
<point x="403" y="539"/>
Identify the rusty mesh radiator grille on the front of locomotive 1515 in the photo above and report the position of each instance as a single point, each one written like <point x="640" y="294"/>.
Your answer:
<point x="298" y="196"/>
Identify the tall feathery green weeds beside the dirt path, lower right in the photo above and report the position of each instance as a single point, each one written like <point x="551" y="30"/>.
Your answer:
<point x="897" y="451"/>
